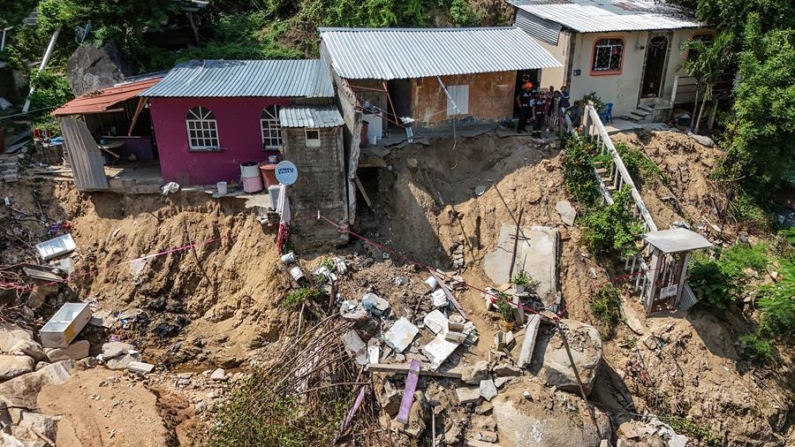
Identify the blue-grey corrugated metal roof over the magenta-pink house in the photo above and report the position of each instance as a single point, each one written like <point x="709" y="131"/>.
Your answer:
<point x="270" y="78"/>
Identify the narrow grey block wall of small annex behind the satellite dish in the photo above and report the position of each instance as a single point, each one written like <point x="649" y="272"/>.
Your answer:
<point x="321" y="186"/>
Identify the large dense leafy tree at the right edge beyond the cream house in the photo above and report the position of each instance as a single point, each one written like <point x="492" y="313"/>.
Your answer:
<point x="761" y="134"/>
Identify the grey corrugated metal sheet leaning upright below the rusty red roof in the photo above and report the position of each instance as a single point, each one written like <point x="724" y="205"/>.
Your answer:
<point x="86" y="160"/>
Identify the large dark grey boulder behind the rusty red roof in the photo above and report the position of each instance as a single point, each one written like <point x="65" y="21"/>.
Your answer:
<point x="91" y="68"/>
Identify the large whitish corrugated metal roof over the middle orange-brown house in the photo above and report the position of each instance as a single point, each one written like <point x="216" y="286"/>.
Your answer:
<point x="401" y="53"/>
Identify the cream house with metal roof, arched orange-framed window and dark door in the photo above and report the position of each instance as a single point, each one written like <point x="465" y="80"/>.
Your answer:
<point x="627" y="51"/>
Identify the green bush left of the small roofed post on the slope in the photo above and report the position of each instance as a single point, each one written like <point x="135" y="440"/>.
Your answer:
<point x="613" y="228"/>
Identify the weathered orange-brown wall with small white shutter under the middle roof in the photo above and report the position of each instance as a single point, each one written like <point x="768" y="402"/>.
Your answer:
<point x="491" y="97"/>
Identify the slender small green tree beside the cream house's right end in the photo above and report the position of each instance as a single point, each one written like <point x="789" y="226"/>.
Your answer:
<point x="711" y="61"/>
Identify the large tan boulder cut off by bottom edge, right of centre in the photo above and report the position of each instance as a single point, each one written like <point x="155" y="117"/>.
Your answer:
<point x="526" y="424"/>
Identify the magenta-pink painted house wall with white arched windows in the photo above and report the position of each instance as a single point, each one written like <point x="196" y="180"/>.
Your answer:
<point x="239" y="135"/>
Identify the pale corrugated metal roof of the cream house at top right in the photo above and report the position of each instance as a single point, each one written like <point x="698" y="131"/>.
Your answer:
<point x="595" y="16"/>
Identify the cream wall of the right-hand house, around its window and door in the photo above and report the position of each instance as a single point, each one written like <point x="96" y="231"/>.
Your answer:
<point x="623" y="88"/>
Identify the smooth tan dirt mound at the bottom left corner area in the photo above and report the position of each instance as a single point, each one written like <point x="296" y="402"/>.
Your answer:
<point x="103" y="408"/>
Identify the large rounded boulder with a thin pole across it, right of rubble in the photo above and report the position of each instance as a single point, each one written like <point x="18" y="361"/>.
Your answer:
<point x="552" y="363"/>
